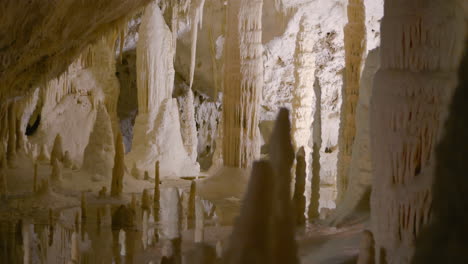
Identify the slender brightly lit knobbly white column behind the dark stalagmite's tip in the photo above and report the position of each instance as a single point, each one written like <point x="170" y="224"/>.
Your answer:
<point x="303" y="93"/>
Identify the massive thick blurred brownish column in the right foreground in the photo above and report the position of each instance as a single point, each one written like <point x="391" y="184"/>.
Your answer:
<point x="417" y="76"/>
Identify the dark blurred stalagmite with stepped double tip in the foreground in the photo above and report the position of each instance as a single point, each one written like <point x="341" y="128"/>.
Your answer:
<point x="264" y="231"/>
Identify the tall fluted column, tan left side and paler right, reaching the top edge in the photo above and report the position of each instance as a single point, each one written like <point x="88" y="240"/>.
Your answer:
<point x="243" y="82"/>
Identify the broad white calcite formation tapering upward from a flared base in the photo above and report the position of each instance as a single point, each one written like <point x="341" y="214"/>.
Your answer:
<point x="157" y="133"/>
